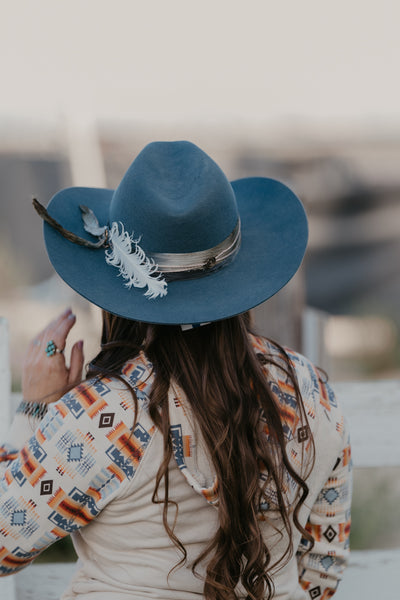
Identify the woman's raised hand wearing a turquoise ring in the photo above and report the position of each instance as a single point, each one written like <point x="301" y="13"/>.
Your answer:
<point x="47" y="378"/>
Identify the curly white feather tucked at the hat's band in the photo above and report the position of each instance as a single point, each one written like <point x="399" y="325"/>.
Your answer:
<point x="133" y="264"/>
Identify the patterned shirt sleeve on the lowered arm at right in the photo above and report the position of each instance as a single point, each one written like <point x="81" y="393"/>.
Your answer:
<point x="321" y="569"/>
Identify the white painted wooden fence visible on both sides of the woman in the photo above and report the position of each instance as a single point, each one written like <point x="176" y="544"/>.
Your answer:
<point x="373" y="411"/>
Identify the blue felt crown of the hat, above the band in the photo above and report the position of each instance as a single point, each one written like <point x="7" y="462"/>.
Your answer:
<point x="176" y="198"/>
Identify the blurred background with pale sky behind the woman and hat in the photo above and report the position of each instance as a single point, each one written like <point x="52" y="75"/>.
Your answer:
<point x="304" y="92"/>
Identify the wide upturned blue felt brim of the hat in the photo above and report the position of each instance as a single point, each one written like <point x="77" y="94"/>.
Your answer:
<point x="274" y="238"/>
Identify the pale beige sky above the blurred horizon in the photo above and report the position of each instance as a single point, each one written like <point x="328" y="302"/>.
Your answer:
<point x="215" y="59"/>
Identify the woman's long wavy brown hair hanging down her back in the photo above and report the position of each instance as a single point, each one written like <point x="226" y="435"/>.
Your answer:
<point x="225" y="383"/>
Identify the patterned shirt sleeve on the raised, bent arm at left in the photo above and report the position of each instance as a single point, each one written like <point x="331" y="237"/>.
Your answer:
<point x="78" y="459"/>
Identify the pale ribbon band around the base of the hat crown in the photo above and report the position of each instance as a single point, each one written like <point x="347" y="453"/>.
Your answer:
<point x="203" y="260"/>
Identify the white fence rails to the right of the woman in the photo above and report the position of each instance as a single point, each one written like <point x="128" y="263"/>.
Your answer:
<point x="373" y="412"/>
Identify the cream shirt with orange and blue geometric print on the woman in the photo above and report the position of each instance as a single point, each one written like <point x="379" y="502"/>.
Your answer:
<point x="80" y="470"/>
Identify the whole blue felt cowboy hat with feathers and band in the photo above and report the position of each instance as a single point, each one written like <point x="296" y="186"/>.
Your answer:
<point x="176" y="242"/>
